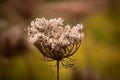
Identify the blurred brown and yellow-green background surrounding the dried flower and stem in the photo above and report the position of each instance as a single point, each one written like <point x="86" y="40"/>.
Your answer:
<point x="98" y="57"/>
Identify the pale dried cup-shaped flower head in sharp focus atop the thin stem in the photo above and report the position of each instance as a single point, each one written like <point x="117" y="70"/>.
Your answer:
<point x="53" y="39"/>
